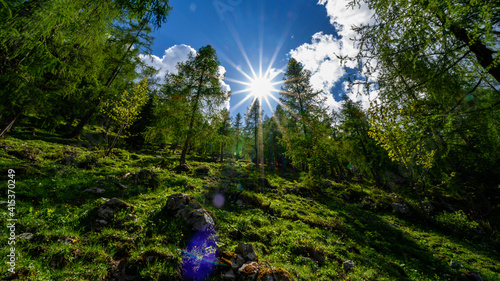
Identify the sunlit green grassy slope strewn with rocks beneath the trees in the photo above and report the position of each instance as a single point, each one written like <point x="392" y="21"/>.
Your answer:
<point x="305" y="227"/>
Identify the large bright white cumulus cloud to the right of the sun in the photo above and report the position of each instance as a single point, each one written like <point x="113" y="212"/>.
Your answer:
<point x="321" y="55"/>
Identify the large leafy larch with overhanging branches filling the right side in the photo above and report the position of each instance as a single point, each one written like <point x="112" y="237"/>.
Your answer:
<point x="435" y="66"/>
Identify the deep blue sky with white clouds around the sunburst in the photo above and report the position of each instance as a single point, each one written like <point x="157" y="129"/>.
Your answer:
<point x="312" y="32"/>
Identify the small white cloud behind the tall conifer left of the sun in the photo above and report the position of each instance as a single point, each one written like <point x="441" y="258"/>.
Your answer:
<point x="167" y="63"/>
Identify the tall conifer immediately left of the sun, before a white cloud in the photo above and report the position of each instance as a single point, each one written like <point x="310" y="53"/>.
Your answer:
<point x="189" y="97"/>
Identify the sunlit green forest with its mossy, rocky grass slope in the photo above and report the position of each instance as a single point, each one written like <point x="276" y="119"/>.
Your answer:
<point x="112" y="174"/>
